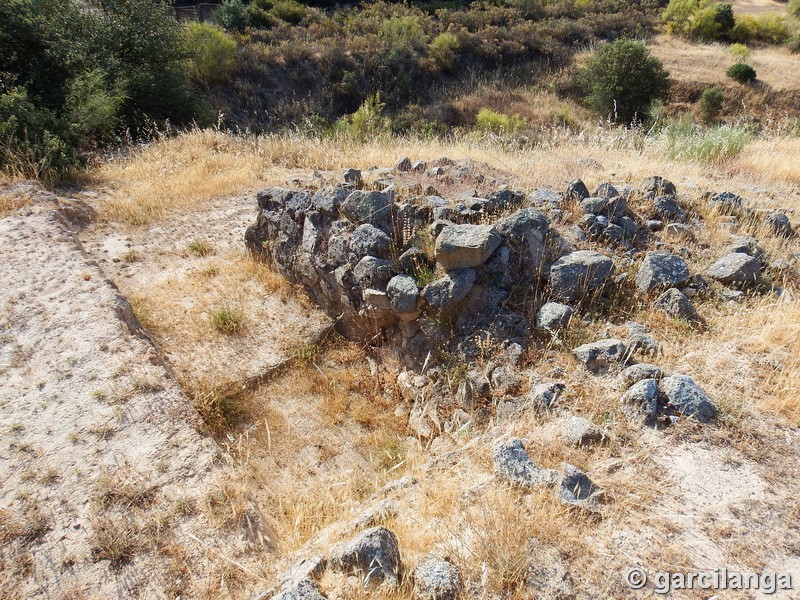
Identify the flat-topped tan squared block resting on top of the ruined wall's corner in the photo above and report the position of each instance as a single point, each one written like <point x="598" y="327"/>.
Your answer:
<point x="466" y="246"/>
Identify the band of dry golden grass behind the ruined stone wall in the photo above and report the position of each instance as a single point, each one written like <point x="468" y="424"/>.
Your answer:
<point x="173" y="176"/>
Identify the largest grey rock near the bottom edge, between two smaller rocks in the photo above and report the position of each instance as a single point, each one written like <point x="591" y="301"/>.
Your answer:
<point x="373" y="555"/>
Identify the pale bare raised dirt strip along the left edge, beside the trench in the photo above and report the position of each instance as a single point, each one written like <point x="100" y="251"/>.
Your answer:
<point x="102" y="466"/>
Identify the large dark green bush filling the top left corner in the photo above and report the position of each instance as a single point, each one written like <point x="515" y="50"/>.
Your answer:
<point x="74" y="74"/>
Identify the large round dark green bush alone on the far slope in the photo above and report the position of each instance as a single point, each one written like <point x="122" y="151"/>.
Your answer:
<point x="621" y="79"/>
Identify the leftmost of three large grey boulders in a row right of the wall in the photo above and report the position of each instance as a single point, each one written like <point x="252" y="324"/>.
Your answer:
<point x="578" y="273"/>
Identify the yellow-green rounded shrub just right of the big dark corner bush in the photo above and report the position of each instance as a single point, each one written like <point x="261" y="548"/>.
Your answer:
<point x="212" y="52"/>
